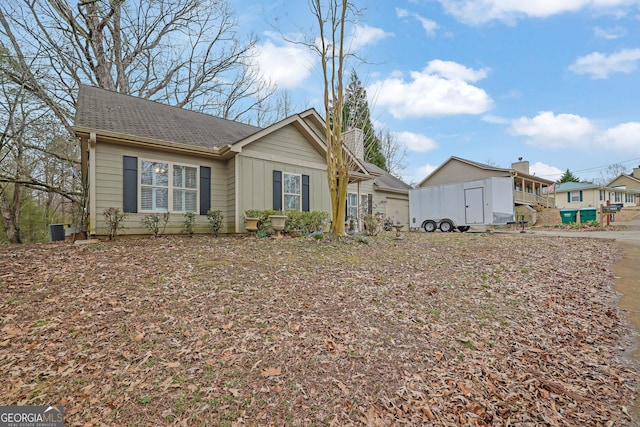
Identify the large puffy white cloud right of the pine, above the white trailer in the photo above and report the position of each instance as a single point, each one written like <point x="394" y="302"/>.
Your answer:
<point x="440" y="89"/>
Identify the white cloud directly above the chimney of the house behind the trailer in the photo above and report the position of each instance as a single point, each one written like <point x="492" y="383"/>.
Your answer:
<point x="555" y="131"/>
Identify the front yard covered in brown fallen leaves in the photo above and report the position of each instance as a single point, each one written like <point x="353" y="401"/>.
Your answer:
<point x="435" y="329"/>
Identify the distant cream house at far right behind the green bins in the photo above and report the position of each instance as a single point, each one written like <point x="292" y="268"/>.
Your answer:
<point x="578" y="195"/>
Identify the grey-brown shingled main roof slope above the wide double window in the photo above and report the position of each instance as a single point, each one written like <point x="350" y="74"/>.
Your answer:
<point x="103" y="110"/>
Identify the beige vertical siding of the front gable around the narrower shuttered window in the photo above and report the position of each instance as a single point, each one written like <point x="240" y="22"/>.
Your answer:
<point x="285" y="150"/>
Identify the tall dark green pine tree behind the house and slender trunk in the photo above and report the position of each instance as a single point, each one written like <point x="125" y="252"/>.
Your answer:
<point x="356" y="114"/>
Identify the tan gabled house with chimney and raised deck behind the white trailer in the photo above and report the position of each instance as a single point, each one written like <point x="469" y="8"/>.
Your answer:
<point x="528" y="189"/>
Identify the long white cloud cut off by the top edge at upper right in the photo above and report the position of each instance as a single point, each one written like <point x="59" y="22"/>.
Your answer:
<point x="477" y="12"/>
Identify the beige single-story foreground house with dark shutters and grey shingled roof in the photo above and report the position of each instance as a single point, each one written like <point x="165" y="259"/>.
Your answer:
<point x="145" y="157"/>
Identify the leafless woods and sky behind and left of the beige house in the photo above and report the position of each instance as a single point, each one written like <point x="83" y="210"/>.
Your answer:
<point x="180" y="52"/>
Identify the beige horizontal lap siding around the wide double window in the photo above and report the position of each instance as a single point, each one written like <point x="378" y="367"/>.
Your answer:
<point x="108" y="184"/>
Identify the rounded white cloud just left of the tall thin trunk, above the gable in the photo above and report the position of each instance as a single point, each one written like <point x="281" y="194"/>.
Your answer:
<point x="288" y="65"/>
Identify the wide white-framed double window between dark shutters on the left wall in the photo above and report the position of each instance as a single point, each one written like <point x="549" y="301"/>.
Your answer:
<point x="168" y="187"/>
